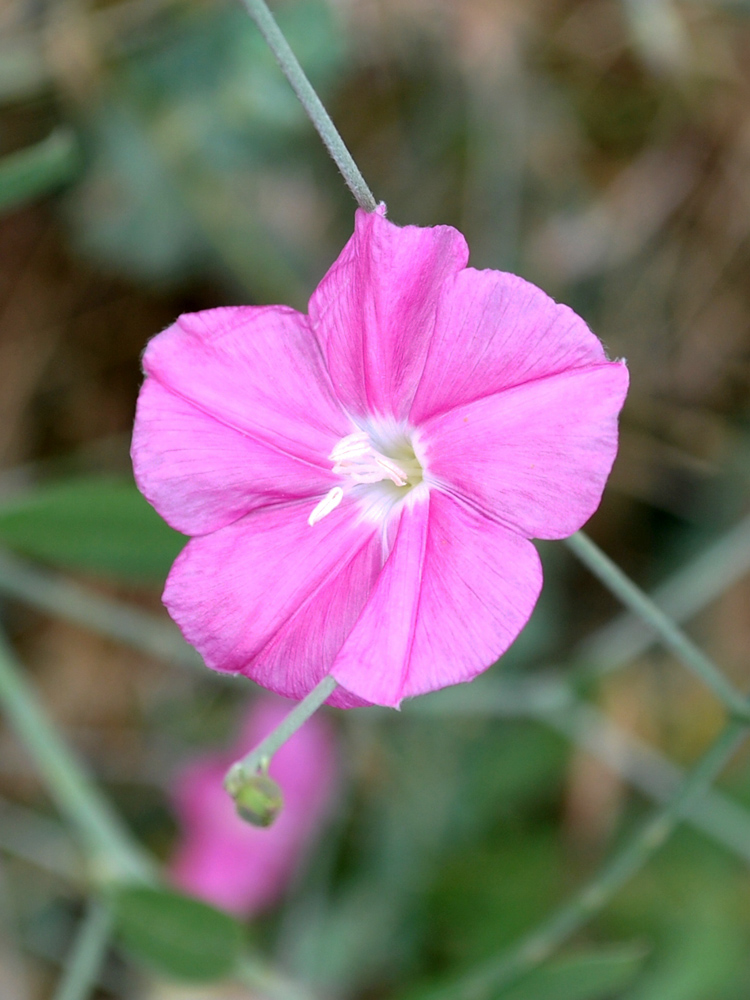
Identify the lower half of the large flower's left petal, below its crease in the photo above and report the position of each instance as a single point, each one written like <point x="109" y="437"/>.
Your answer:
<point x="202" y="474"/>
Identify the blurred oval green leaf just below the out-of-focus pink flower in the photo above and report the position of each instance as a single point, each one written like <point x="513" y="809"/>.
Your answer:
<point x="176" y="935"/>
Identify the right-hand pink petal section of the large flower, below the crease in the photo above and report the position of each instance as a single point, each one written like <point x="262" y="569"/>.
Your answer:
<point x="535" y="457"/>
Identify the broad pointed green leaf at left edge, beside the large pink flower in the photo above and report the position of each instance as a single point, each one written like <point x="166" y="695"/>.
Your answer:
<point x="91" y="523"/>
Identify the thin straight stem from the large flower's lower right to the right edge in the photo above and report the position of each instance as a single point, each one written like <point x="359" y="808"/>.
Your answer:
<point x="670" y="634"/>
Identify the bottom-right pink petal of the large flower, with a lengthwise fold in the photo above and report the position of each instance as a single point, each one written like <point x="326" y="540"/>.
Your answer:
<point x="455" y="592"/>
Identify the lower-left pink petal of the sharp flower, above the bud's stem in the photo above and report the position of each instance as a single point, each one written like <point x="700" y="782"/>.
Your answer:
<point x="273" y="598"/>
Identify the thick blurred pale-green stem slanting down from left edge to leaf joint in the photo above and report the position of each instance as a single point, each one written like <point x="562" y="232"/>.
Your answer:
<point x="114" y="852"/>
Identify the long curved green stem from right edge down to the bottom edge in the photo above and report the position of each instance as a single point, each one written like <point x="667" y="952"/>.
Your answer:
<point x="486" y="982"/>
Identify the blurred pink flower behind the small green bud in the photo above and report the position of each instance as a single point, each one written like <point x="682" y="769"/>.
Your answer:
<point x="224" y="860"/>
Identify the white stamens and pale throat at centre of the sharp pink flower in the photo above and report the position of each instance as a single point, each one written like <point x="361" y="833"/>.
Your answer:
<point x="362" y="459"/>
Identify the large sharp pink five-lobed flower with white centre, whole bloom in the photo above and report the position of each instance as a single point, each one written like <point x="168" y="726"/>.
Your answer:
<point x="362" y="482"/>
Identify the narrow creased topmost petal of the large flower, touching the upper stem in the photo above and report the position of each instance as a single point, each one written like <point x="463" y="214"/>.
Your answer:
<point x="374" y="311"/>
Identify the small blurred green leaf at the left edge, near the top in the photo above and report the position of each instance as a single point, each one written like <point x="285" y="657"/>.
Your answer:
<point x="33" y="172"/>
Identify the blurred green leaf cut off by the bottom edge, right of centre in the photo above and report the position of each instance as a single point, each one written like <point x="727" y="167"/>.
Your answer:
<point x="592" y="975"/>
